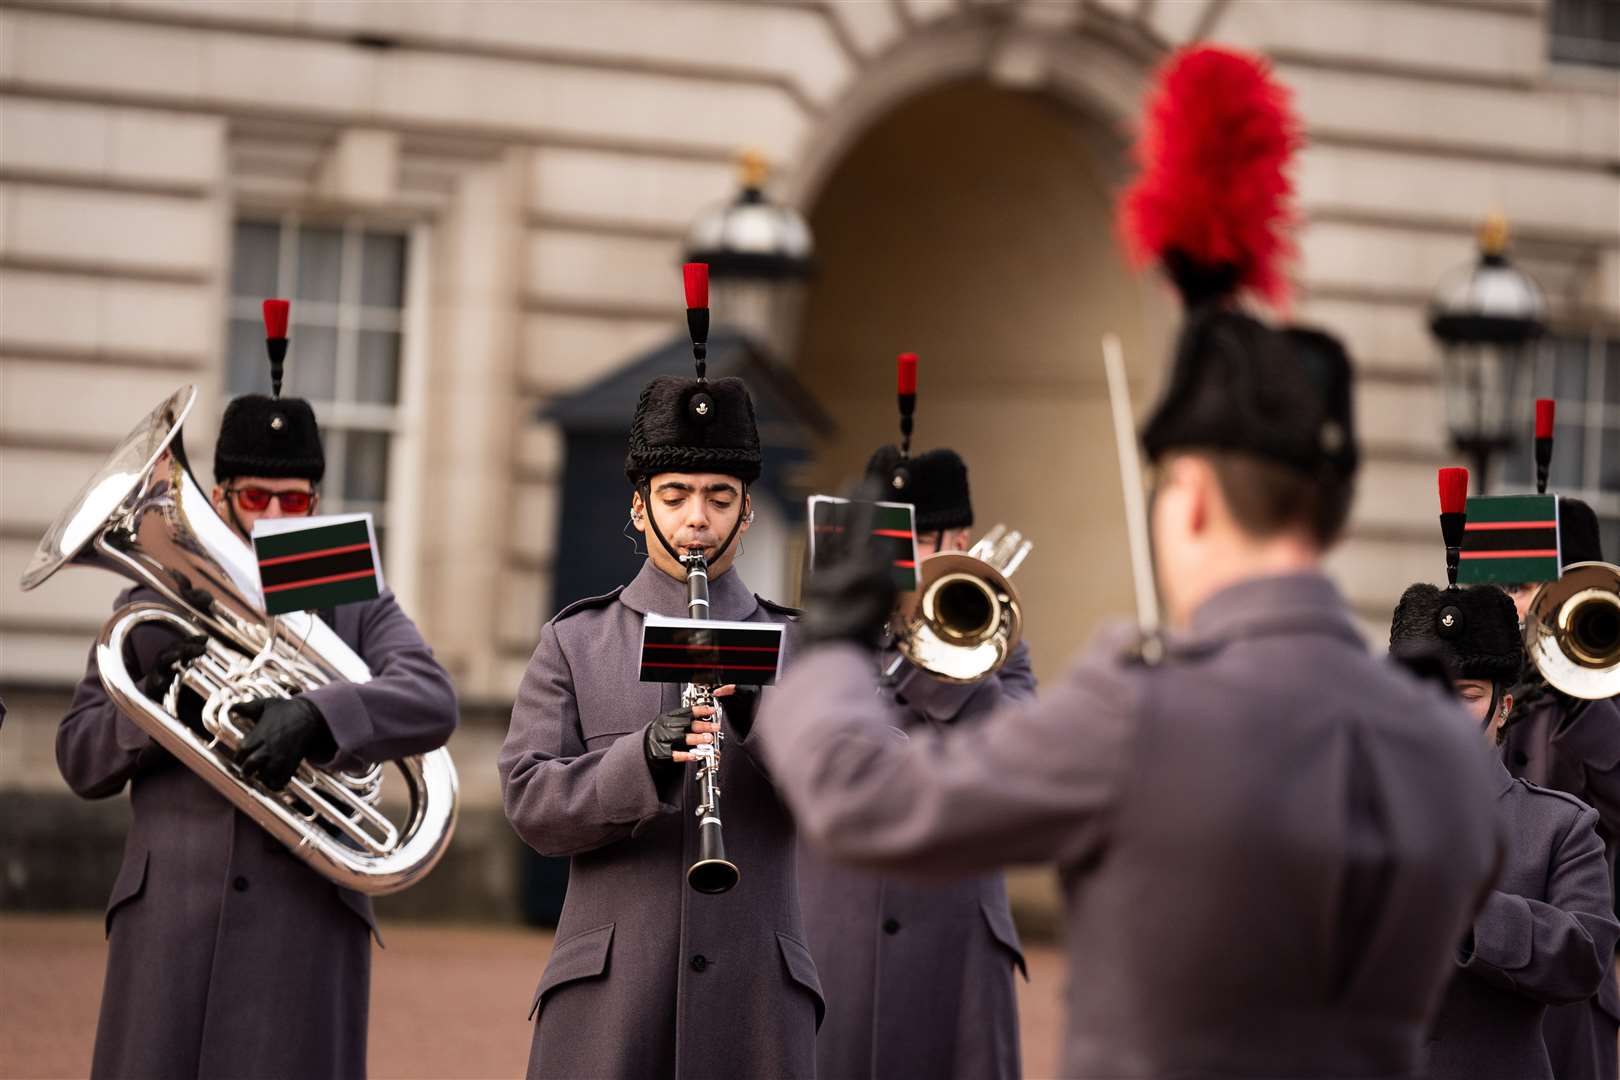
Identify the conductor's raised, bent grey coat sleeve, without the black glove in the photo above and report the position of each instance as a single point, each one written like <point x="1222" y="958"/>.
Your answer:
<point x="1036" y="781"/>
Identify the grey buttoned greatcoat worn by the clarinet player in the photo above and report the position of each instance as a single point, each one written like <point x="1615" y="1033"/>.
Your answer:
<point x="649" y="977"/>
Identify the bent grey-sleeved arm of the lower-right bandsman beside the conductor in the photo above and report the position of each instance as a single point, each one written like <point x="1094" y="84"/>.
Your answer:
<point x="1561" y="950"/>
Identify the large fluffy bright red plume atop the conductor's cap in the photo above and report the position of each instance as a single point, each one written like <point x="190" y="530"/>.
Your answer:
<point x="1213" y="190"/>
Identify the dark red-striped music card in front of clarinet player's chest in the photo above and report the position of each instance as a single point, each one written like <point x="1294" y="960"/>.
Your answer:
<point x="710" y="652"/>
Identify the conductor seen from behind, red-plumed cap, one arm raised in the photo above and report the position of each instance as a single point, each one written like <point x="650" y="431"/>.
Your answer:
<point x="1271" y="841"/>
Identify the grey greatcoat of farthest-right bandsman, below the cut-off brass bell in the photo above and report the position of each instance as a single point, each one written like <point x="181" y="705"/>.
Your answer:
<point x="1577" y="752"/>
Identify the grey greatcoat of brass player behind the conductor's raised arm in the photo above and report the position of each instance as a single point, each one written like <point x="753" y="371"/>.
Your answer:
<point x="918" y="976"/>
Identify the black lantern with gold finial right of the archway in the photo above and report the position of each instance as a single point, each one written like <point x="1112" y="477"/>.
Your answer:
<point x="1488" y="318"/>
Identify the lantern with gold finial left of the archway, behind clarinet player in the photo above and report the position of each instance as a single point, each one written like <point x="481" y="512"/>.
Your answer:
<point x="759" y="257"/>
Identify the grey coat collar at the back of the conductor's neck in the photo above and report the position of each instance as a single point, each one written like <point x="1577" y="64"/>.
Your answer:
<point x="1282" y="605"/>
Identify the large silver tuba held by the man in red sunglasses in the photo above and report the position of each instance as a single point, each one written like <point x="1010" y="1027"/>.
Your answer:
<point x="145" y="517"/>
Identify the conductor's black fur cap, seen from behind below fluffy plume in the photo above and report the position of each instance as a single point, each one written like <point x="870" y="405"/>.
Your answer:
<point x="1238" y="385"/>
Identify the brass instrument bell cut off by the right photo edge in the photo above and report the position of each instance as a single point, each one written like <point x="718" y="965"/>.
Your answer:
<point x="1572" y="631"/>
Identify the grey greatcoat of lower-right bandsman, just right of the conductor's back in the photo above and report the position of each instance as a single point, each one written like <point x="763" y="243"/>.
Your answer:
<point x="1546" y="937"/>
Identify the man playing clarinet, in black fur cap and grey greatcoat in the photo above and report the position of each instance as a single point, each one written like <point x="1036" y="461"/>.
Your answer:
<point x="650" y="977"/>
